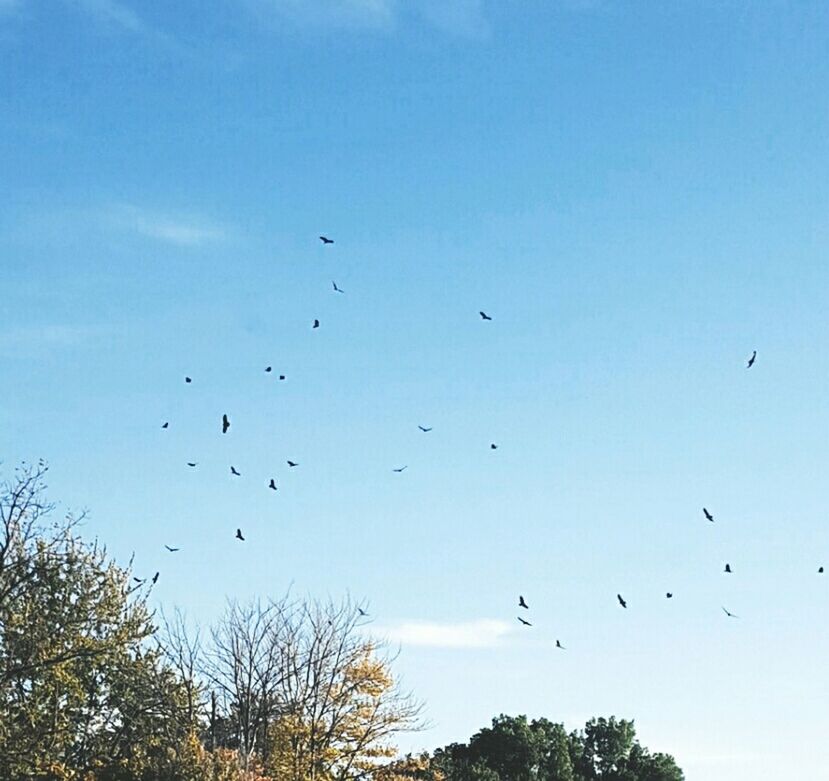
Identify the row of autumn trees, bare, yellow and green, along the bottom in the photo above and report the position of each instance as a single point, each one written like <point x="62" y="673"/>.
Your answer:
<point x="95" y="686"/>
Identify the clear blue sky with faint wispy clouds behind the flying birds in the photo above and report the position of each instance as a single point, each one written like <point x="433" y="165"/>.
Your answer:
<point x="636" y="192"/>
